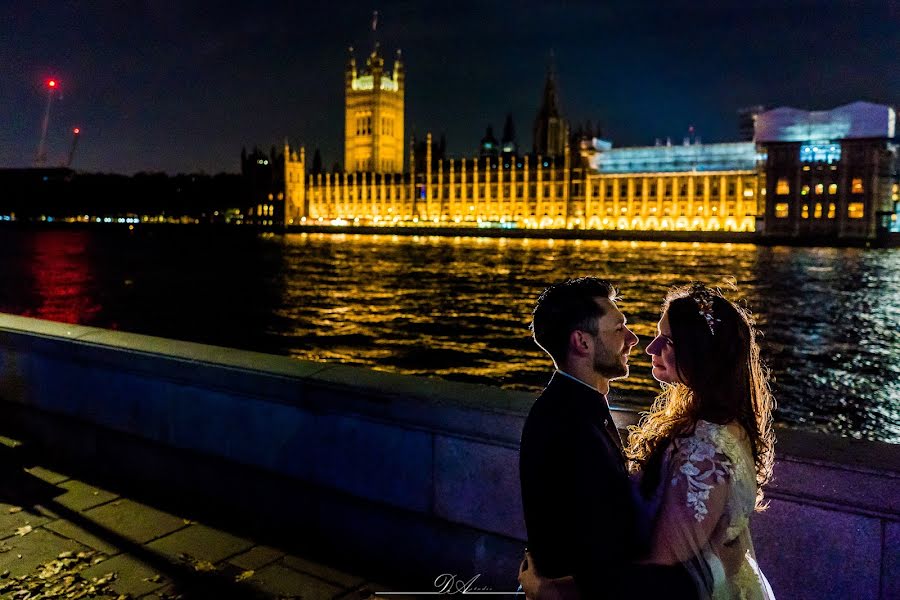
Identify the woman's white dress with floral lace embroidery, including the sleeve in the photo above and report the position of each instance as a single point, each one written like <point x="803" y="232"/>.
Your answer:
<point x="701" y="512"/>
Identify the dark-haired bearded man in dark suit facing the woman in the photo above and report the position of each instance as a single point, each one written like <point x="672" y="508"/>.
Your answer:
<point x="579" y="513"/>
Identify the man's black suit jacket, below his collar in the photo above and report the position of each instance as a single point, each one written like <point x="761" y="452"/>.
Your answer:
<point x="575" y="490"/>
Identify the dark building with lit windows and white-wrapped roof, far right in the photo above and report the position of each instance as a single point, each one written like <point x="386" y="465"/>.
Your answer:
<point x="829" y="174"/>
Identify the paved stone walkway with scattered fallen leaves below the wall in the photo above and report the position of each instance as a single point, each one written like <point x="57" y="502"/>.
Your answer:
<point x="61" y="537"/>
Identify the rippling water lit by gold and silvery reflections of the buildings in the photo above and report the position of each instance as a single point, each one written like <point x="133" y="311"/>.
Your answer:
<point x="459" y="308"/>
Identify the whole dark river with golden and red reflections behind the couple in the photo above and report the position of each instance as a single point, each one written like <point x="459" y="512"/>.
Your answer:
<point x="458" y="308"/>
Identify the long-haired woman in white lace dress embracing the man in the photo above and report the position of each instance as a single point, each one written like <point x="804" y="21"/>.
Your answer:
<point x="703" y="453"/>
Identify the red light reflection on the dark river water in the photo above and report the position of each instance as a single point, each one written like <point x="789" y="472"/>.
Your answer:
<point x="62" y="278"/>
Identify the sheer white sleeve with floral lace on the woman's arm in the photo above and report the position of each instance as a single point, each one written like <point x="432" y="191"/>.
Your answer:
<point x="696" y="479"/>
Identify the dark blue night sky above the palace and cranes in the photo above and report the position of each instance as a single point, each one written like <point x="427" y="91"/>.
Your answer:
<point x="182" y="86"/>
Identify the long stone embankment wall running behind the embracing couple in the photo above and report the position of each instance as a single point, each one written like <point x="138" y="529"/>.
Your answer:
<point x="418" y="475"/>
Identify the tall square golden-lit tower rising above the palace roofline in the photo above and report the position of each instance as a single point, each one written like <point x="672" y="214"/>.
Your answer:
<point x="373" y="125"/>
